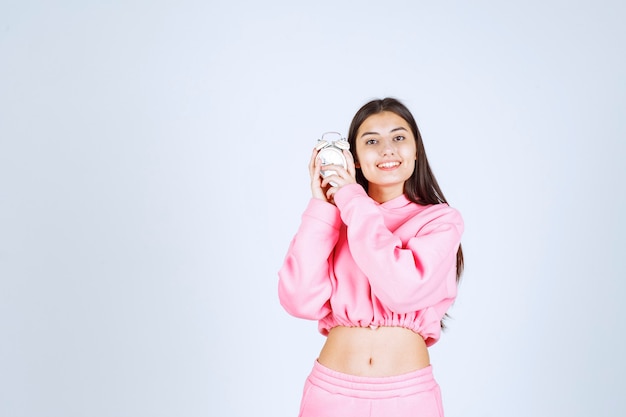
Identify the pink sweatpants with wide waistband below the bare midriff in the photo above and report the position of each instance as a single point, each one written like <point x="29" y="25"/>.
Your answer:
<point x="330" y="393"/>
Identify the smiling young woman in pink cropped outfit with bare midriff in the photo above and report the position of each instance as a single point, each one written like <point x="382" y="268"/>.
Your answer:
<point x="376" y="260"/>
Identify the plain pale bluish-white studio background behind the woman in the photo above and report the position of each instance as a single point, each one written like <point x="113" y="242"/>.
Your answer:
<point x="153" y="168"/>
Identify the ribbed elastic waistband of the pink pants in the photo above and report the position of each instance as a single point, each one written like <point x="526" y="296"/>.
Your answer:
<point x="372" y="387"/>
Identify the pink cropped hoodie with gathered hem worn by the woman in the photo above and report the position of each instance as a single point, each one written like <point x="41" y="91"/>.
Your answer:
<point x="361" y="263"/>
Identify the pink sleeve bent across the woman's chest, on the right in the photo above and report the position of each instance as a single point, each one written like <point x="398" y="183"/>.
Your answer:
<point x="405" y="277"/>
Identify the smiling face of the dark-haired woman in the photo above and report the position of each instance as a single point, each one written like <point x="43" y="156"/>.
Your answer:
<point x="386" y="152"/>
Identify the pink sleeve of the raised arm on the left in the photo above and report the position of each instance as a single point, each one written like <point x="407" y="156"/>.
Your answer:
<point x="304" y="285"/>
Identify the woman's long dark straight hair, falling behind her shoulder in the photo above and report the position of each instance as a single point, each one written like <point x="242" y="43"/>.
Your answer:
<point x="421" y="187"/>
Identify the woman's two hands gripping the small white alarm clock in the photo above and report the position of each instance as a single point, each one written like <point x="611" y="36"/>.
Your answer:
<point x="325" y="188"/>
